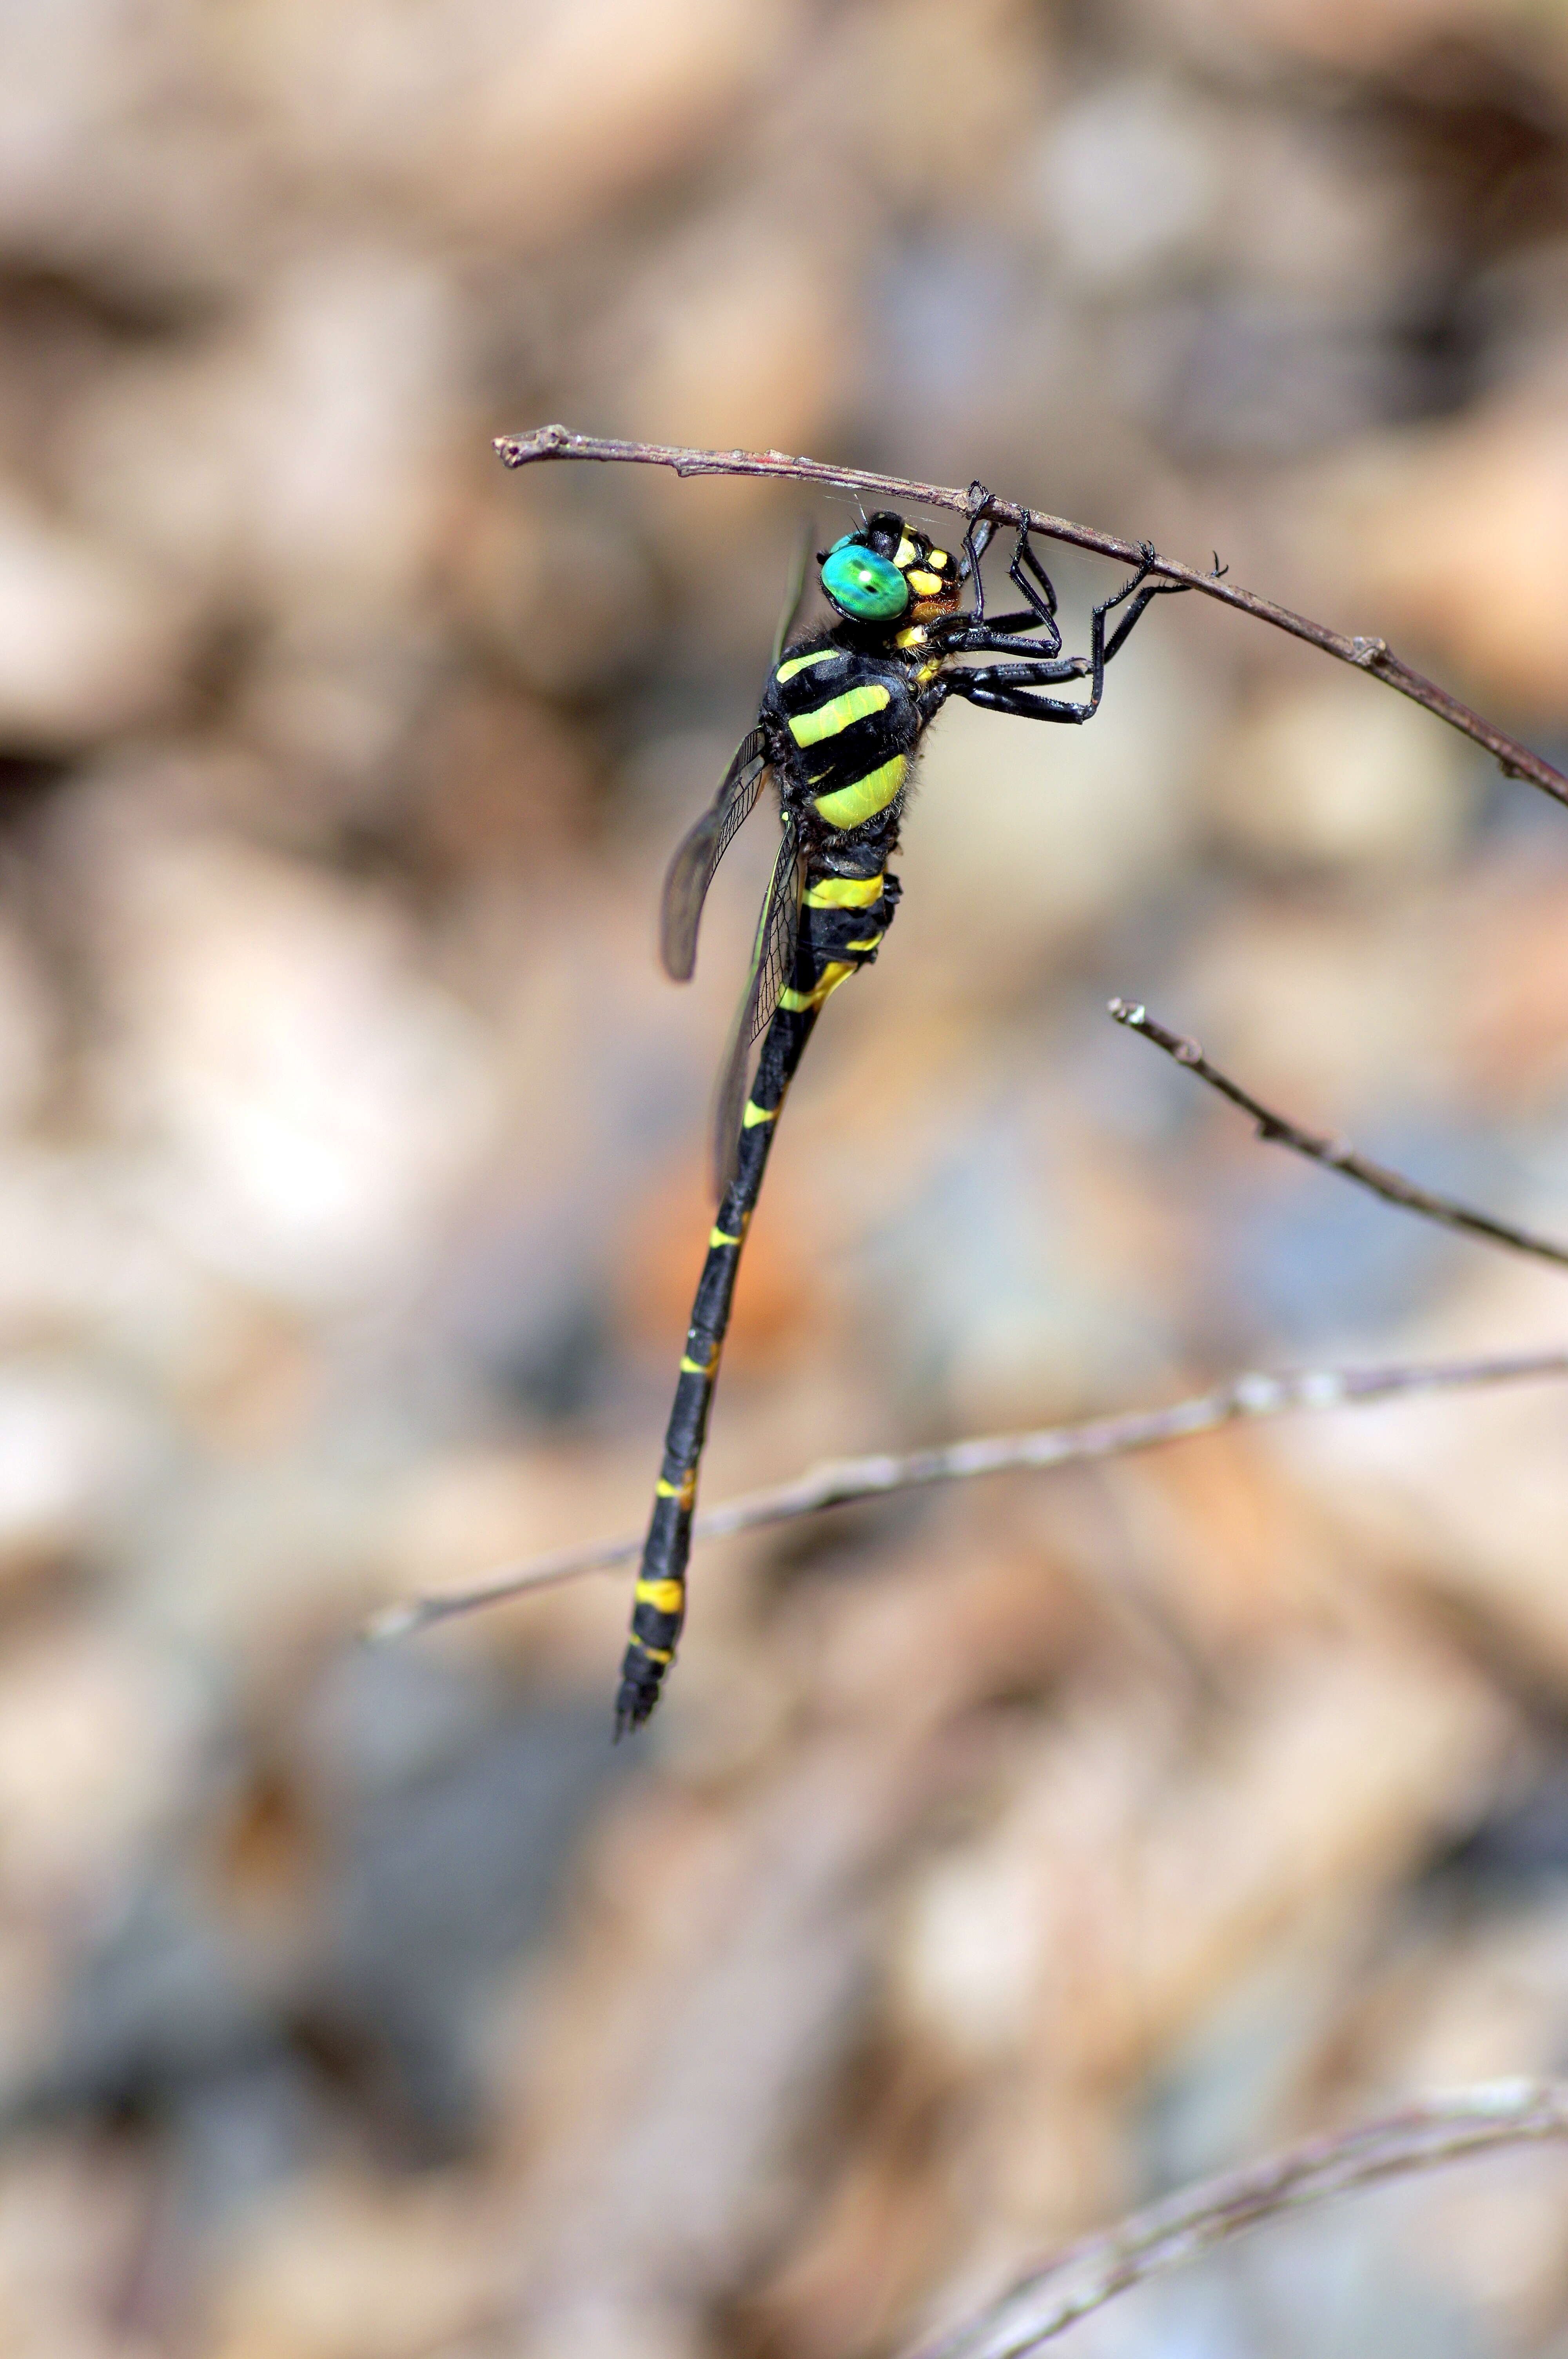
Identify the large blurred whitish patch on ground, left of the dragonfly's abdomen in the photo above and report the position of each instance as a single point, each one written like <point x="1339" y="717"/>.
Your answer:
<point x="310" y="1100"/>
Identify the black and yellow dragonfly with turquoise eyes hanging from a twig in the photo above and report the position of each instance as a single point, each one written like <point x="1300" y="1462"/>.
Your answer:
<point x="838" y="730"/>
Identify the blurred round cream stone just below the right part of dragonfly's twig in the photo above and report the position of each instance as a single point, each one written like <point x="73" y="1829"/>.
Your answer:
<point x="1340" y="777"/>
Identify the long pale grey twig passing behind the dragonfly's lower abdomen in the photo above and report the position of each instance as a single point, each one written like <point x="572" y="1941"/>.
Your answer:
<point x="843" y="1480"/>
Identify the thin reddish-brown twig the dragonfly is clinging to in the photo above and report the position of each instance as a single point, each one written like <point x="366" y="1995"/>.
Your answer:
<point x="1371" y="657"/>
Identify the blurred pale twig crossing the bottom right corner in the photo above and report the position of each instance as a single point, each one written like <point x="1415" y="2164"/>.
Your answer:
<point x="1185" y="2226"/>
